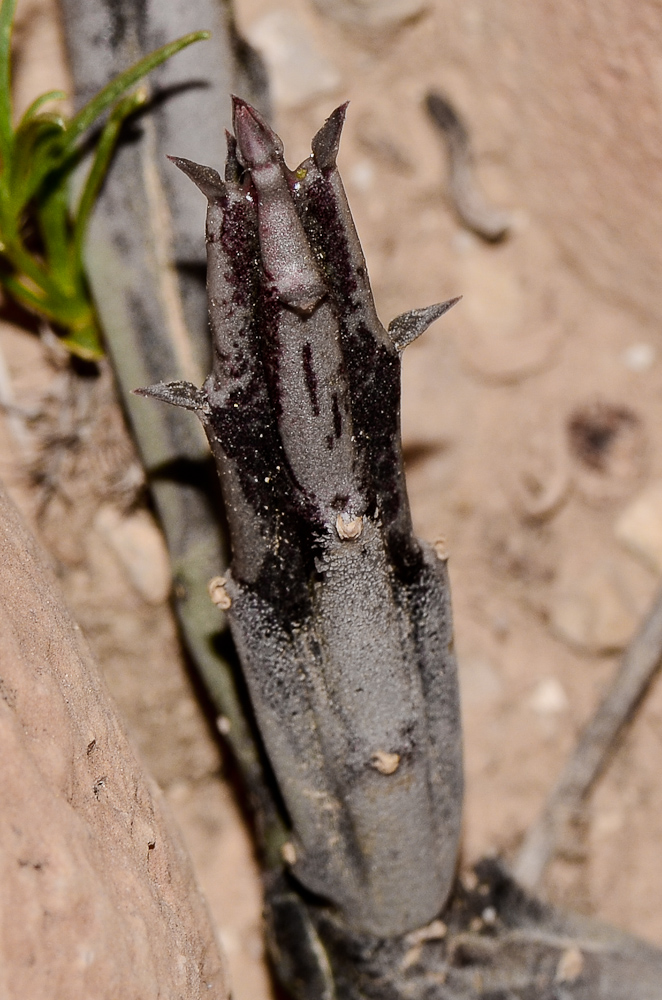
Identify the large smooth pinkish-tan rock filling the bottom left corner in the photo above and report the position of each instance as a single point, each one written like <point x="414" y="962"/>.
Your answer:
<point x="98" y="899"/>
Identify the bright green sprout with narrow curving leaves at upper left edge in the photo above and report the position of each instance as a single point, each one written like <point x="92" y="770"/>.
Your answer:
<point x="41" y="234"/>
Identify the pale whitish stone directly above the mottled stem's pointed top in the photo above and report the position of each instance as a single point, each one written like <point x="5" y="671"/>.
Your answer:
<point x="298" y="72"/>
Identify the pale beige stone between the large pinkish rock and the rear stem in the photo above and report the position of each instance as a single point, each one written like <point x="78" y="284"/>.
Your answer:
<point x="140" y="548"/>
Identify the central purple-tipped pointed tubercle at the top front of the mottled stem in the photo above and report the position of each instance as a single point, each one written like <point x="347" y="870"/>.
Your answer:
<point x="290" y="268"/>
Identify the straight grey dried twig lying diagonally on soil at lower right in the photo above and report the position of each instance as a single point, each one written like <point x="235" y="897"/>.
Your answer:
<point x="639" y="666"/>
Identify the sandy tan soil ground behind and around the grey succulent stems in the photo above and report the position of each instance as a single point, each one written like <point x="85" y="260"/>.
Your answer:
<point x="532" y="416"/>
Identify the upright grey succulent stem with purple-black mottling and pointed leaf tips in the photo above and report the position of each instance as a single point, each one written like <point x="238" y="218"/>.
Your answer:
<point x="340" y="615"/>
